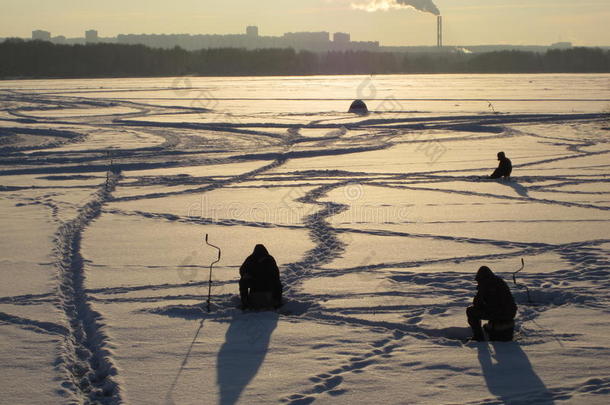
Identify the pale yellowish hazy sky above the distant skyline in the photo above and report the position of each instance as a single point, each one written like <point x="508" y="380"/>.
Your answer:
<point x="466" y="22"/>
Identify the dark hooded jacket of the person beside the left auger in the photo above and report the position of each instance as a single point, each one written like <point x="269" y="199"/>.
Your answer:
<point x="259" y="272"/>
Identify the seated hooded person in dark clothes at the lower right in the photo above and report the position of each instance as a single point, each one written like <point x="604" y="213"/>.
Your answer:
<point x="493" y="302"/>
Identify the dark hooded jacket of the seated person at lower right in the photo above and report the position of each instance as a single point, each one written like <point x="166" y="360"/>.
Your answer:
<point x="493" y="296"/>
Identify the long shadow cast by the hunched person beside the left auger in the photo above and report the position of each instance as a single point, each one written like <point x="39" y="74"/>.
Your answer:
<point x="244" y="350"/>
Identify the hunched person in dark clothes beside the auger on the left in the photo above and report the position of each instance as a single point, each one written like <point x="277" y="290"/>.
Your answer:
<point x="260" y="286"/>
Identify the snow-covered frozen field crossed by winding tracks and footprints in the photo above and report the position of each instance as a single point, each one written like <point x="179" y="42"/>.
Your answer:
<point x="378" y="224"/>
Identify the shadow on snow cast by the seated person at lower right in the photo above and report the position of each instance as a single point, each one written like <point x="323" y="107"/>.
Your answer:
<point x="511" y="377"/>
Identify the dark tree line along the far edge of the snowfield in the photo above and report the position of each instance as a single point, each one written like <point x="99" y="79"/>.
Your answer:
<point x="39" y="59"/>
